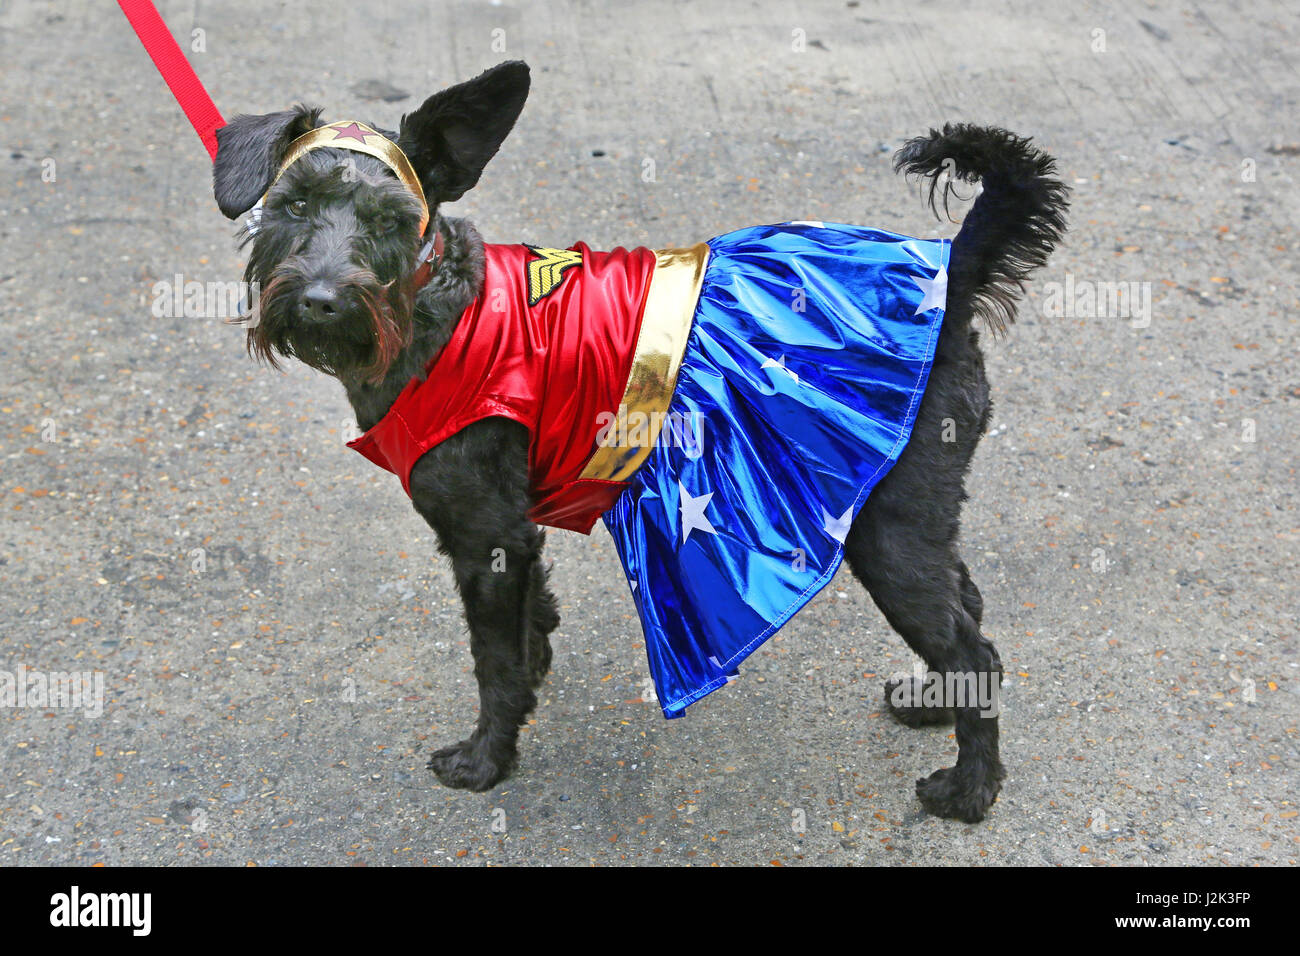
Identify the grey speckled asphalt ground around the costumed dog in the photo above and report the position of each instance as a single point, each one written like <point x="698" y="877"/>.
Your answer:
<point x="274" y="698"/>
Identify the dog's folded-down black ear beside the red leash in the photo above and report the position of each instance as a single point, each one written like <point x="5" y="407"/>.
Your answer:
<point x="249" y="153"/>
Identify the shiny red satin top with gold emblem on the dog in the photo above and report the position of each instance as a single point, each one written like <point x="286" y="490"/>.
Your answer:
<point x="548" y="344"/>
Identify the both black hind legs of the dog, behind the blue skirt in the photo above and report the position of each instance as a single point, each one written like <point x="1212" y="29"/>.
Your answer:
<point x="903" y="547"/>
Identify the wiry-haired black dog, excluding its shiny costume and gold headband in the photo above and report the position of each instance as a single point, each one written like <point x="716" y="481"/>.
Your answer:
<point x="336" y="259"/>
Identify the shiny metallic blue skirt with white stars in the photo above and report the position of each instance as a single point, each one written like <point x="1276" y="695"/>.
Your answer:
<point x="803" y="375"/>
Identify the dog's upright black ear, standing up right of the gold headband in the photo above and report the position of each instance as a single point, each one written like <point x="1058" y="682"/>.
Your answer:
<point x="452" y="137"/>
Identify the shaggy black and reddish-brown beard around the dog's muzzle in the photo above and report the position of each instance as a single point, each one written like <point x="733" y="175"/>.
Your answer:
<point x="361" y="345"/>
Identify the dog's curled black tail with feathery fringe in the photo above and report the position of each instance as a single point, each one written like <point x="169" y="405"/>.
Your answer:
<point x="1012" y="228"/>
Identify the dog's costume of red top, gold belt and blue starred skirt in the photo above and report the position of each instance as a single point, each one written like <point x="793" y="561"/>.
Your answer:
<point x="727" y="409"/>
